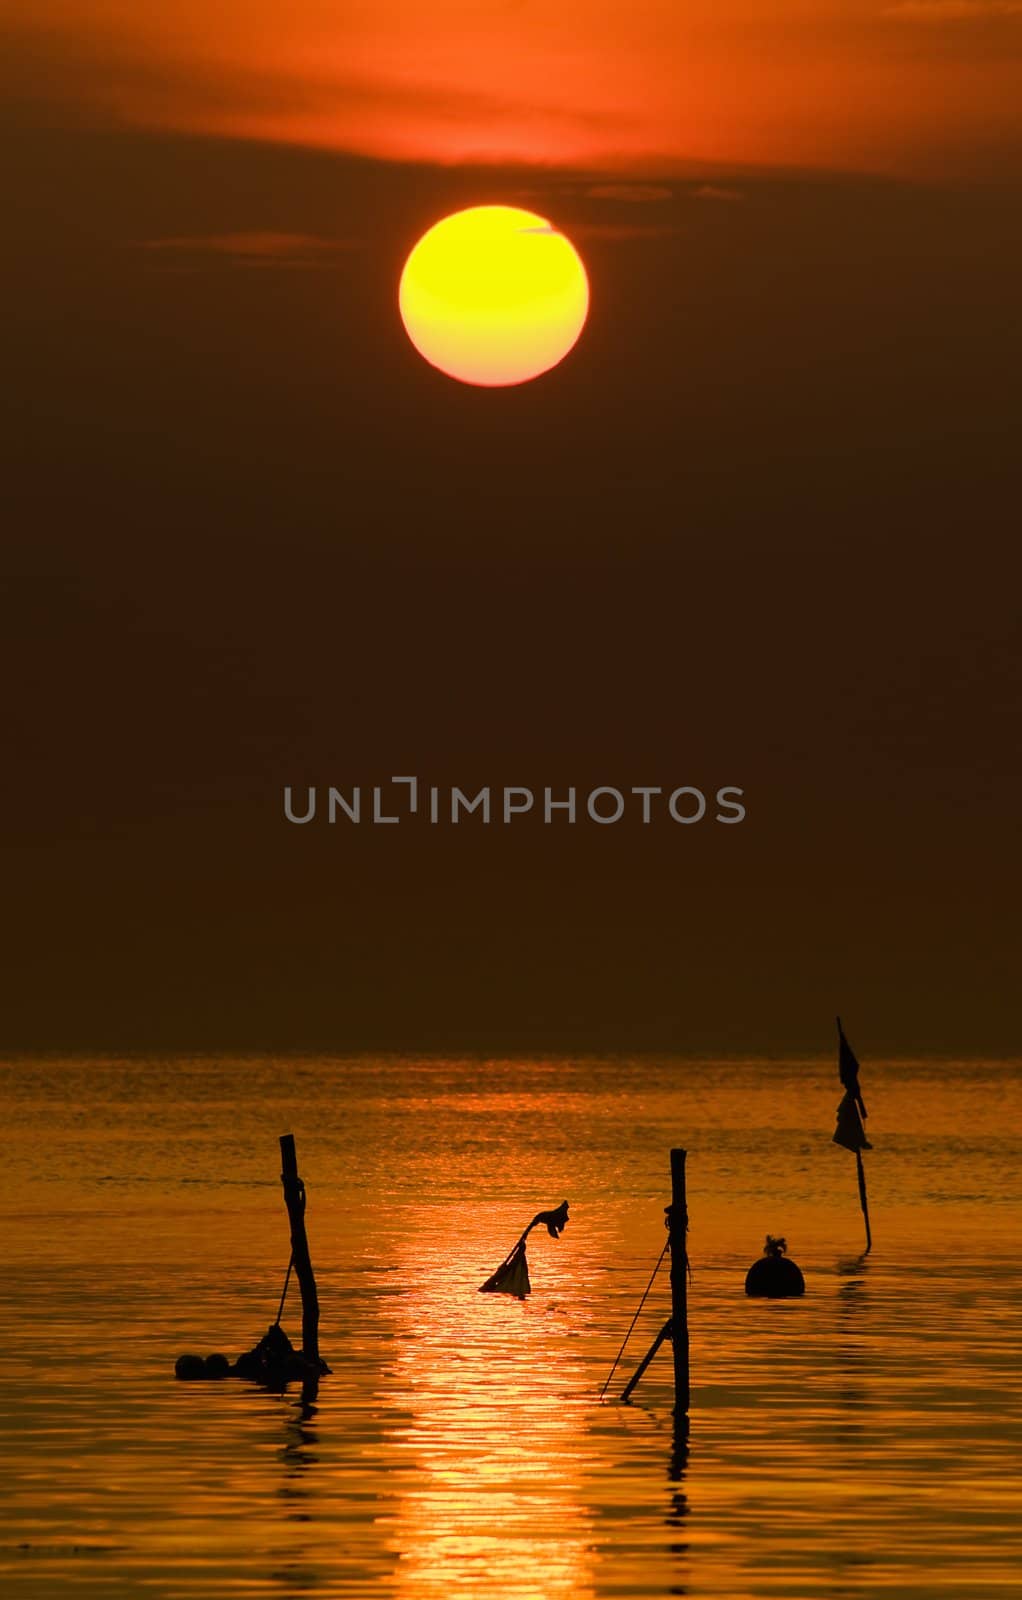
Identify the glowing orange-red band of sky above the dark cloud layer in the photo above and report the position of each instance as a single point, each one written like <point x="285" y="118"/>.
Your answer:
<point x="892" y="86"/>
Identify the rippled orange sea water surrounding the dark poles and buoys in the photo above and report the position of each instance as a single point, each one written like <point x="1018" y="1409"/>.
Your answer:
<point x="863" y="1441"/>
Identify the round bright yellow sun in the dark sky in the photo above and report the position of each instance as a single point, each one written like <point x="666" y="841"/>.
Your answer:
<point x="493" y="295"/>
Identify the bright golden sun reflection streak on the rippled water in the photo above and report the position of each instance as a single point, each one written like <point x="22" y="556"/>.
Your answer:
<point x="493" y="1434"/>
